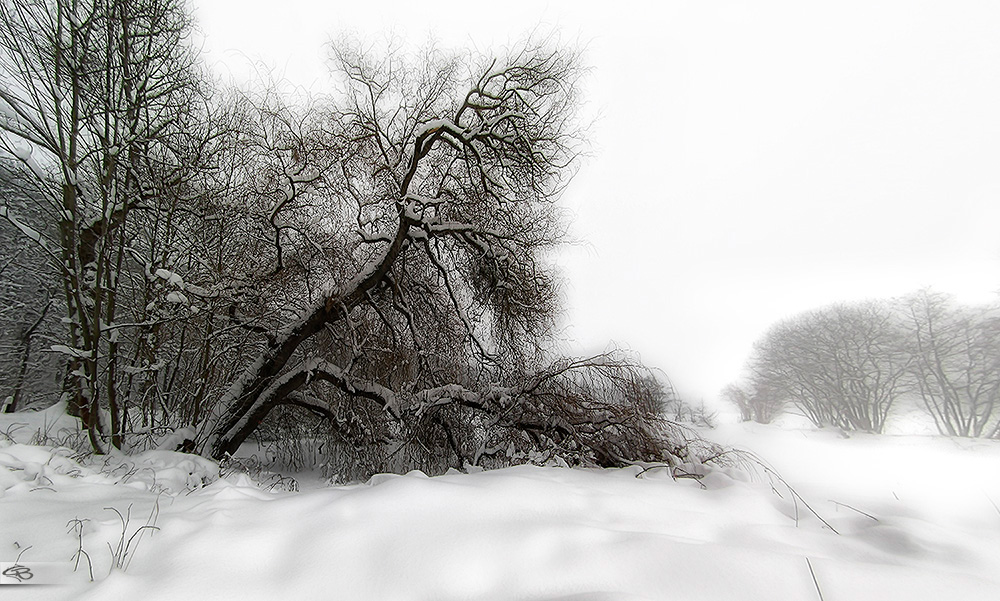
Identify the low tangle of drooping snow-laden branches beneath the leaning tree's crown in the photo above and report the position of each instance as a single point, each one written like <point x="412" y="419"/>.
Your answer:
<point x="600" y="412"/>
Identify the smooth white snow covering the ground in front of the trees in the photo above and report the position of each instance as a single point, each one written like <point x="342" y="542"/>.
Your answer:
<point x="917" y="519"/>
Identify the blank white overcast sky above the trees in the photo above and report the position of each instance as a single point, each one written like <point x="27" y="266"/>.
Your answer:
<point x="751" y="159"/>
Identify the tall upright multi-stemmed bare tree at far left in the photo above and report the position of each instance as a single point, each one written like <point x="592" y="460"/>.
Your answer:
<point x="91" y="91"/>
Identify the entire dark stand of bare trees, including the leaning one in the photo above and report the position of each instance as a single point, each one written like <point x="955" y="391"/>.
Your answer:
<point x="366" y="267"/>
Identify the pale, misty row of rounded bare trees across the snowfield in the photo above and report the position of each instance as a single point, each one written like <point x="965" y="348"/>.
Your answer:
<point x="848" y="365"/>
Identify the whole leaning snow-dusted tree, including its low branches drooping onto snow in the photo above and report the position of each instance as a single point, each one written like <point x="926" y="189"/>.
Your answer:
<point x="435" y="178"/>
